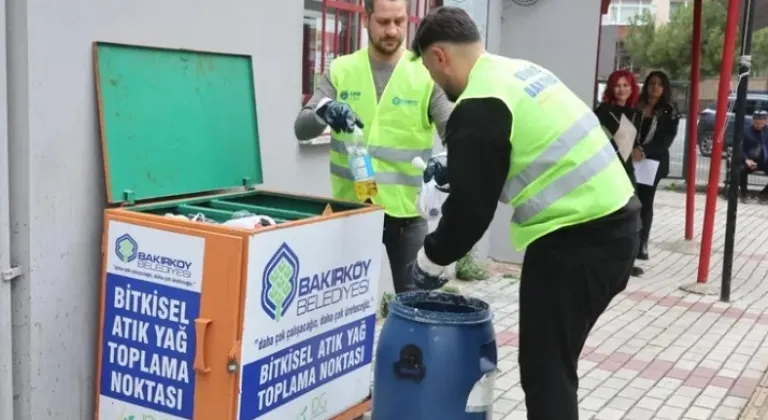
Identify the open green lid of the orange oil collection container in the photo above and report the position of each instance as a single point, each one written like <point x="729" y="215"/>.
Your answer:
<point x="175" y="122"/>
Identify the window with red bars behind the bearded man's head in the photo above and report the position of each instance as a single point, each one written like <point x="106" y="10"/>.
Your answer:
<point x="334" y="27"/>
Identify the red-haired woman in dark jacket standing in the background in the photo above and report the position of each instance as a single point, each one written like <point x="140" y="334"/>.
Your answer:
<point x="620" y="99"/>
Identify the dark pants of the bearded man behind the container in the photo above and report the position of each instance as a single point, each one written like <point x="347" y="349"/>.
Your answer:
<point x="403" y="238"/>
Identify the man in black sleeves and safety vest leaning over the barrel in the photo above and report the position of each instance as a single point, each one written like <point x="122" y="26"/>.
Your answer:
<point x="518" y="135"/>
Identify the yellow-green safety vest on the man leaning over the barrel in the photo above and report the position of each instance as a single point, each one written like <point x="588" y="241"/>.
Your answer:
<point x="563" y="169"/>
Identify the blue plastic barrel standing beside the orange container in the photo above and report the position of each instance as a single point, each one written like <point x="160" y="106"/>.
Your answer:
<point x="435" y="360"/>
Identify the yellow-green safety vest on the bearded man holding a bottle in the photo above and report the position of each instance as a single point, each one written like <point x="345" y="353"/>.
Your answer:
<point x="397" y="129"/>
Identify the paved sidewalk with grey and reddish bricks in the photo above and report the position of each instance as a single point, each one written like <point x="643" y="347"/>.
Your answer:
<point x="659" y="352"/>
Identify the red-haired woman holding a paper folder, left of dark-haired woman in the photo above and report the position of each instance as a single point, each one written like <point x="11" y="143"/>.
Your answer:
<point x="621" y="121"/>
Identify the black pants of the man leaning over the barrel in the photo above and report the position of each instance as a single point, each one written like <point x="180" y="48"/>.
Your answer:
<point x="564" y="288"/>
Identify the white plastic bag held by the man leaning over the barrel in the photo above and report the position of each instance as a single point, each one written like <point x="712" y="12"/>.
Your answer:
<point x="434" y="186"/>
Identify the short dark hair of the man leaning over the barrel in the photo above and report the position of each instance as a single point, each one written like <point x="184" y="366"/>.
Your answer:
<point x="444" y="24"/>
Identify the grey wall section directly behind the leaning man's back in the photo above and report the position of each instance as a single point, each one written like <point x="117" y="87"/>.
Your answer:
<point x="574" y="62"/>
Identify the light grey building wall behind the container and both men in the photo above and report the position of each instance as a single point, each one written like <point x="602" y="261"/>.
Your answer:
<point x="57" y="190"/>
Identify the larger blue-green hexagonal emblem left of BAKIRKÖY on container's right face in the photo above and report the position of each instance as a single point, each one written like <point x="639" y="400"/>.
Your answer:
<point x="279" y="282"/>
